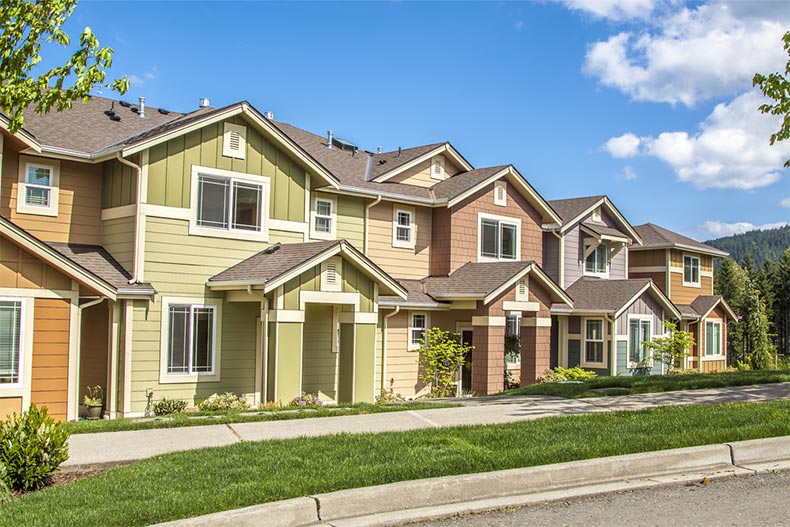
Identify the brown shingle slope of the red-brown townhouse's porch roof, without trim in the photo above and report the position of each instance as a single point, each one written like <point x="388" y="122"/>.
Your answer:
<point x="474" y="278"/>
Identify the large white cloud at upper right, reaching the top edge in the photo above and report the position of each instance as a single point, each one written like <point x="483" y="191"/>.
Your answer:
<point x="690" y="55"/>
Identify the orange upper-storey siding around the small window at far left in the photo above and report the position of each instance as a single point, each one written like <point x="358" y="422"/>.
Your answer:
<point x="79" y="202"/>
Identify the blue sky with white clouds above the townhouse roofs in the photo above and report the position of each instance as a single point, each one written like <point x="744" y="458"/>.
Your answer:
<point x="647" y="101"/>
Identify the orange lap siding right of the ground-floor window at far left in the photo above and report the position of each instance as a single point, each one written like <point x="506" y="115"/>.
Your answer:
<point x="49" y="385"/>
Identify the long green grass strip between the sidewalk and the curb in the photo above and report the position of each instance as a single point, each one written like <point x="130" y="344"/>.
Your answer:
<point x="203" y="481"/>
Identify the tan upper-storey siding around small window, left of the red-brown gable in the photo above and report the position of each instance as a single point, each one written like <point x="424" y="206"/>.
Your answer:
<point x="399" y="262"/>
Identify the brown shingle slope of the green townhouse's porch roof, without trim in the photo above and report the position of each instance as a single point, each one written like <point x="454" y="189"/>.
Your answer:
<point x="271" y="263"/>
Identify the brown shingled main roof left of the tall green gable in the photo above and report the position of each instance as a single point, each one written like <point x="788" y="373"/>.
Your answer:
<point x="85" y="128"/>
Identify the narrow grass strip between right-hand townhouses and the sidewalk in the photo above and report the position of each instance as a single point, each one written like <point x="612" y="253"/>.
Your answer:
<point x="652" y="383"/>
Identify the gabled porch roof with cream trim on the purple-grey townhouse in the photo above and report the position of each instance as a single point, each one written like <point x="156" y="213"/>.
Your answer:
<point x="596" y="295"/>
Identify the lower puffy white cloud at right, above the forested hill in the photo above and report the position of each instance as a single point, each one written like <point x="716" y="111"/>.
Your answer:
<point x="731" y="150"/>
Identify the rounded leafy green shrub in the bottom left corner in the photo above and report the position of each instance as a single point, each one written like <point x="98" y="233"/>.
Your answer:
<point x="32" y="447"/>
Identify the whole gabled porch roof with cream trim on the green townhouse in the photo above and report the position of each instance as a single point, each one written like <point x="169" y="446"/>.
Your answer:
<point x="279" y="263"/>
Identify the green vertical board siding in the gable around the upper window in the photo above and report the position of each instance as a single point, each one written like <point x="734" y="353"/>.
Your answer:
<point x="170" y="169"/>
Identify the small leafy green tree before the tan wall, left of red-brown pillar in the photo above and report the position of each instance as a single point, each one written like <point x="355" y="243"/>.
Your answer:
<point x="441" y="357"/>
